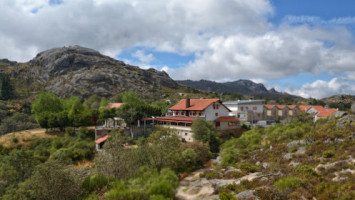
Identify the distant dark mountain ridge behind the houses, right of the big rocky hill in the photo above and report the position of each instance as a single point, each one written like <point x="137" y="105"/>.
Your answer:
<point x="245" y="87"/>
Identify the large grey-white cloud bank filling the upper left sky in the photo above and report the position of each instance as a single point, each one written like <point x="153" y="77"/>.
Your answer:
<point x="110" y="26"/>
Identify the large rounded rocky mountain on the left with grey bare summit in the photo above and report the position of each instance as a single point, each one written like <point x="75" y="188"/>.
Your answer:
<point x="83" y="72"/>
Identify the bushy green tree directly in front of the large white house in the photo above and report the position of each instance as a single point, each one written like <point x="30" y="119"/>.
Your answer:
<point x="204" y="131"/>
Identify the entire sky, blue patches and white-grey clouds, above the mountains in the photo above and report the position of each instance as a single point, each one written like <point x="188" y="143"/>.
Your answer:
<point x="303" y="47"/>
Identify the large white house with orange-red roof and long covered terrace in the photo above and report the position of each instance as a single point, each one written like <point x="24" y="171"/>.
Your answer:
<point x="186" y="111"/>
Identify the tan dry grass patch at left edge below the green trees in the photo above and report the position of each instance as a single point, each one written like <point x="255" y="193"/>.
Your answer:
<point x="26" y="136"/>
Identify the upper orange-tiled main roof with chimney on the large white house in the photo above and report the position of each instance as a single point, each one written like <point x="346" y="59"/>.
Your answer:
<point x="195" y="104"/>
